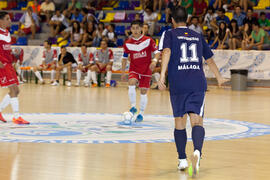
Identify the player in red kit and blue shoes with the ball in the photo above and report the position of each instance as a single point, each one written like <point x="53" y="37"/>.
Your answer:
<point x="139" y="48"/>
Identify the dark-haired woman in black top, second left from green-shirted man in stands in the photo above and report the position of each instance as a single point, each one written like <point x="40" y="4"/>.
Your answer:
<point x="235" y="35"/>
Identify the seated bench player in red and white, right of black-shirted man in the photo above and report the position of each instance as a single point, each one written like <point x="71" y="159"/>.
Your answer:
<point x="85" y="61"/>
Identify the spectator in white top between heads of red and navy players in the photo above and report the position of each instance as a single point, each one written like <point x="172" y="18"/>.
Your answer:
<point x="150" y="18"/>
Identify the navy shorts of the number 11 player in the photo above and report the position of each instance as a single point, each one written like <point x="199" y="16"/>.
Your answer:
<point x="188" y="103"/>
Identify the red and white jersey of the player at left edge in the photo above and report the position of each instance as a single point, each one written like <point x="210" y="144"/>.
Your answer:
<point x="5" y="47"/>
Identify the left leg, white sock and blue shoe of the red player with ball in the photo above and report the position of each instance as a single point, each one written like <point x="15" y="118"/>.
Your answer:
<point x="132" y="81"/>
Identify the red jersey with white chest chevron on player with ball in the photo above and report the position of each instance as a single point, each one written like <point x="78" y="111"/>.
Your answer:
<point x="140" y="53"/>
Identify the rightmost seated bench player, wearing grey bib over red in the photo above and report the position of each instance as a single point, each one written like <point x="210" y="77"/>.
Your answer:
<point x="103" y="63"/>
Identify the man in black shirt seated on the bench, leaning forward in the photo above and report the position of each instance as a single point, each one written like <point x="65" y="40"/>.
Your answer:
<point x="65" y="60"/>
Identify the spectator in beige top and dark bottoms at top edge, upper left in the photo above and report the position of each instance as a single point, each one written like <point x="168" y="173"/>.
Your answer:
<point x="46" y="10"/>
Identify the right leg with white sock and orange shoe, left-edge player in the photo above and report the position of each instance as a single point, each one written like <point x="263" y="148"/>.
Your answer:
<point x="13" y="93"/>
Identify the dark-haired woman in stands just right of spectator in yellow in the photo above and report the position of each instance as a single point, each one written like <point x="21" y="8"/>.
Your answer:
<point x="76" y="34"/>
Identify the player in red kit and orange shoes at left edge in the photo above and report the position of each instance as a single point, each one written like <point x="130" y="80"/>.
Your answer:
<point x="8" y="76"/>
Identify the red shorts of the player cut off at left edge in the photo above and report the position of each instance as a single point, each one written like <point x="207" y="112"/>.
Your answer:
<point x="8" y="76"/>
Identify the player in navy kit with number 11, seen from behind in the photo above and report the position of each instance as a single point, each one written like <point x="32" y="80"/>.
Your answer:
<point x="183" y="53"/>
